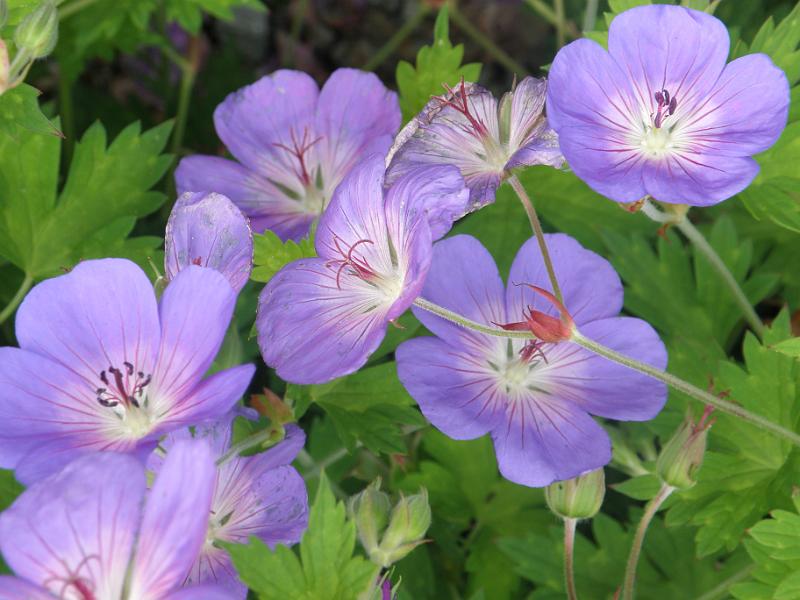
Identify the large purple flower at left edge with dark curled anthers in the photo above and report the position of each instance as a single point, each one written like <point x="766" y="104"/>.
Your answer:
<point x="103" y="366"/>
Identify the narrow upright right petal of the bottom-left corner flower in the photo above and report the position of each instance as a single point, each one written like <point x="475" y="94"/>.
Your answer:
<point x="175" y="520"/>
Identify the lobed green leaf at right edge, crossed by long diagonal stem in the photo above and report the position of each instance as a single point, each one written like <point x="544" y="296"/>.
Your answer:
<point x="746" y="471"/>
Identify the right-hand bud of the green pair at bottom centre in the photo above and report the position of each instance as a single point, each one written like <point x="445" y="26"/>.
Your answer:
<point x="410" y="520"/>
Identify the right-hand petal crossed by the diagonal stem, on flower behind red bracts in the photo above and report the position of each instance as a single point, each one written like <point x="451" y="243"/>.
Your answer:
<point x="608" y="389"/>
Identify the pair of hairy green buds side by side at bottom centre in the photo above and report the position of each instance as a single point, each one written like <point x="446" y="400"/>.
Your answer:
<point x="407" y="523"/>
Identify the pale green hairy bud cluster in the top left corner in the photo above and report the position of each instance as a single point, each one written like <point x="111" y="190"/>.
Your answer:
<point x="35" y="37"/>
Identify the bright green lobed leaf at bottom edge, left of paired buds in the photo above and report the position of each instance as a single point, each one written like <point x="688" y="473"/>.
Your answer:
<point x="326" y="568"/>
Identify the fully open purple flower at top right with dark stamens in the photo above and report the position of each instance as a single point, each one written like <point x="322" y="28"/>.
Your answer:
<point x="660" y="113"/>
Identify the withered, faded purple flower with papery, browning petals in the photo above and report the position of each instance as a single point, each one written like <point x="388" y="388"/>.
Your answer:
<point x="485" y="139"/>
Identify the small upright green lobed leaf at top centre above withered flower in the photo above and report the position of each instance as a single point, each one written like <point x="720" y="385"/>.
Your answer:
<point x="436" y="65"/>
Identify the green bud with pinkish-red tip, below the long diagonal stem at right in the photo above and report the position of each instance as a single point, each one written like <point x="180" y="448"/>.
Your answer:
<point x="682" y="455"/>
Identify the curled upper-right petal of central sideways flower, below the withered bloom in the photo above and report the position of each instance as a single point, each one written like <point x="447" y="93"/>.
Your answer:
<point x="436" y="191"/>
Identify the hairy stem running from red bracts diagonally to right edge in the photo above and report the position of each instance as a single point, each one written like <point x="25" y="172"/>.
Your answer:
<point x="687" y="388"/>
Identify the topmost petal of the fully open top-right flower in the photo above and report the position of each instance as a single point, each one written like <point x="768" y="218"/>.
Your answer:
<point x="665" y="47"/>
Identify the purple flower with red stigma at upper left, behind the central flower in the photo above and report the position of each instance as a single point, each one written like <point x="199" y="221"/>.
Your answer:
<point x="295" y="143"/>
